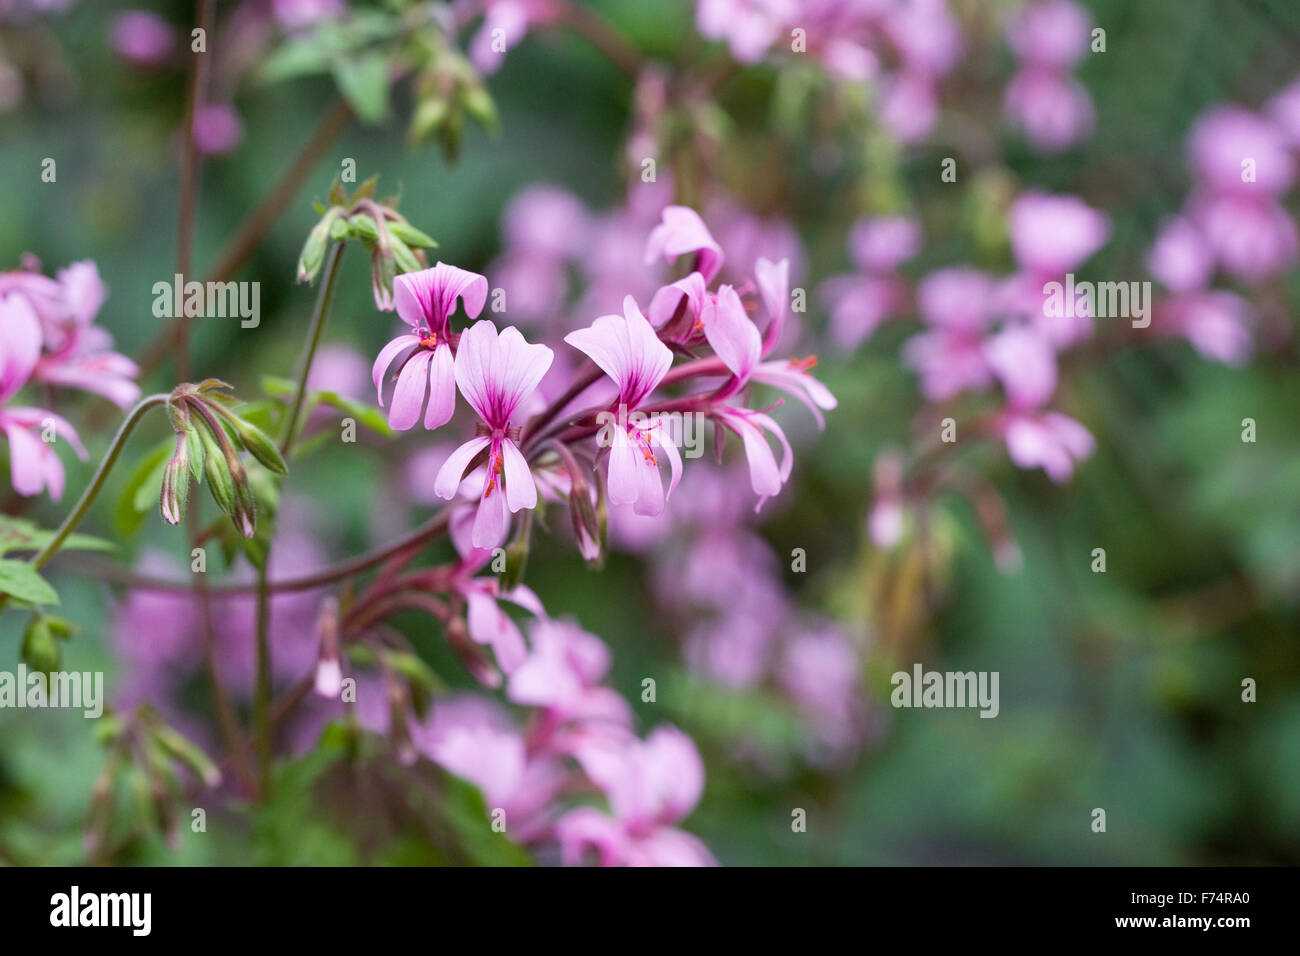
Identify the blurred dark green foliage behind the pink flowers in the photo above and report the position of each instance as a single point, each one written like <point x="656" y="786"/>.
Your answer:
<point x="1120" y="691"/>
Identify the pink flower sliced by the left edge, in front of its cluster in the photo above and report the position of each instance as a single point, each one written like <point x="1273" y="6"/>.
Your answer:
<point x="33" y="464"/>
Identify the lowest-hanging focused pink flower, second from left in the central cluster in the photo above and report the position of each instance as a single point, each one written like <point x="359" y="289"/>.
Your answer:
<point x="496" y="374"/>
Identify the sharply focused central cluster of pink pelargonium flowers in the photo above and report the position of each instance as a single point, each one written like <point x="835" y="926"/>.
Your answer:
<point x="497" y="374"/>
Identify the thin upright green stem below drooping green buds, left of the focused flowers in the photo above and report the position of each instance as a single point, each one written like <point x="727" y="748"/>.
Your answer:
<point x="262" y="703"/>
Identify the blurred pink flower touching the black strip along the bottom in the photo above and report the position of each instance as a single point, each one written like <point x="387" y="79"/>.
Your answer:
<point x="651" y="786"/>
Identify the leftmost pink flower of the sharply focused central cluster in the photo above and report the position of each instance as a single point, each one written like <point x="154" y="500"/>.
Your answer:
<point x="426" y="301"/>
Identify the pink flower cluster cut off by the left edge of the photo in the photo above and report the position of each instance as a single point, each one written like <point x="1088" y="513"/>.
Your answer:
<point x="49" y="339"/>
